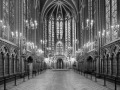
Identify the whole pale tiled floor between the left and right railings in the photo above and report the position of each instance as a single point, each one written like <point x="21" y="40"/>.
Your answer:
<point x="60" y="80"/>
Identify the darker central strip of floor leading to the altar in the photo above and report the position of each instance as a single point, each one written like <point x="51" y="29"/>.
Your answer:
<point x="60" y="81"/>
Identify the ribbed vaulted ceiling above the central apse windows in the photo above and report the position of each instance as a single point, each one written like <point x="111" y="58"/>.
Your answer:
<point x="55" y="7"/>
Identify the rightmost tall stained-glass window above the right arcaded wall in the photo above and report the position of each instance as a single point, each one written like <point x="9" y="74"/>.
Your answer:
<point x="112" y="27"/>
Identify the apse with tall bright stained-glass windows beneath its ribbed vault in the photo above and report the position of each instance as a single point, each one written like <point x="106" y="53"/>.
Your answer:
<point x="59" y="29"/>
